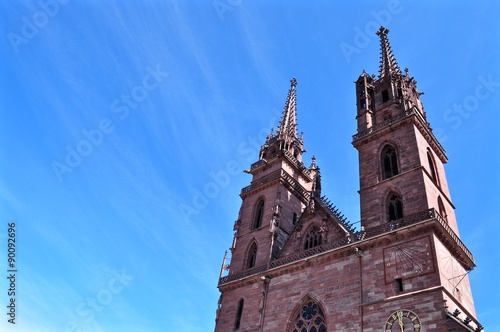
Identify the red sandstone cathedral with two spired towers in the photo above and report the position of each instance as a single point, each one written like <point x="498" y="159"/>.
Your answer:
<point x="297" y="265"/>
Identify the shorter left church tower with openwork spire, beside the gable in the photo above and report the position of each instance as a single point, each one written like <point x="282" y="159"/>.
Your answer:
<point x="276" y="196"/>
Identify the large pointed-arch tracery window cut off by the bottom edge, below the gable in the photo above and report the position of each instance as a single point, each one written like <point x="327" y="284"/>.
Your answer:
<point x="308" y="316"/>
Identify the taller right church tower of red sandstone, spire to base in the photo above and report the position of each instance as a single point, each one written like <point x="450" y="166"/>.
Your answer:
<point x="404" y="193"/>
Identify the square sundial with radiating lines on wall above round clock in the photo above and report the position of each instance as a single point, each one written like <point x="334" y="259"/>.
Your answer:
<point x="408" y="259"/>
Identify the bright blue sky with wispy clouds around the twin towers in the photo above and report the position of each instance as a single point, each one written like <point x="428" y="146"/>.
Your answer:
<point x="125" y="127"/>
